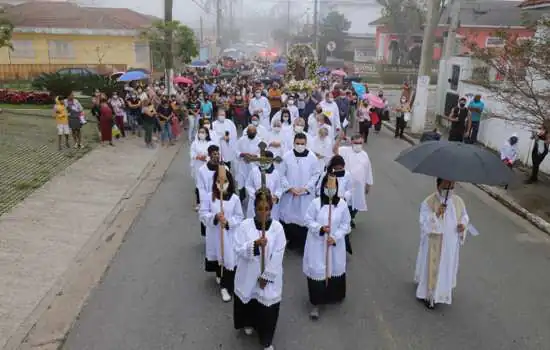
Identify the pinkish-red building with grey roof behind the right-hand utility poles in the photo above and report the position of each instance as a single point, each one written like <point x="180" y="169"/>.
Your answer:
<point x="479" y="22"/>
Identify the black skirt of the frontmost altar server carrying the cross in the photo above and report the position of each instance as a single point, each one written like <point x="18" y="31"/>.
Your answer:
<point x="261" y="318"/>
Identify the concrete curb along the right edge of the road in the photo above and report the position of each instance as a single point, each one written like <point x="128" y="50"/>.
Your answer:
<point x="508" y="202"/>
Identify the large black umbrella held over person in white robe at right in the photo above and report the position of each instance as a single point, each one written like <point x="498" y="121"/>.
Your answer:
<point x="456" y="161"/>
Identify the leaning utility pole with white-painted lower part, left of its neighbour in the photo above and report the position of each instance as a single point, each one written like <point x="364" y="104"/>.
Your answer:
<point x="420" y="107"/>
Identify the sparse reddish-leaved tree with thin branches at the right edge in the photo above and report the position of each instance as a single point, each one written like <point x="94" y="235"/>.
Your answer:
<point x="523" y="67"/>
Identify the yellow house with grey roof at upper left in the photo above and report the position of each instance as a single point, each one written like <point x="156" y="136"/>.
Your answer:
<point x="50" y="35"/>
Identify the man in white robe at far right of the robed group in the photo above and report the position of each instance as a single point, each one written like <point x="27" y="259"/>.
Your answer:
<point x="360" y="168"/>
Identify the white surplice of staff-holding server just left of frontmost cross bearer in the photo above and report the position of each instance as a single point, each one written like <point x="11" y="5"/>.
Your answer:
<point x="233" y="213"/>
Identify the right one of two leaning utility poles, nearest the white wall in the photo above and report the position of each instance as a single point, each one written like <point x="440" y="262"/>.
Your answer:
<point x="448" y="52"/>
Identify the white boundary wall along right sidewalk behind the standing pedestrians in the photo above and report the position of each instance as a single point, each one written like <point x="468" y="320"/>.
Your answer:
<point x="494" y="132"/>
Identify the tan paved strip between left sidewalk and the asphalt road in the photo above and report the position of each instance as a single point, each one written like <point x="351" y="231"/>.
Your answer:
<point x="47" y="327"/>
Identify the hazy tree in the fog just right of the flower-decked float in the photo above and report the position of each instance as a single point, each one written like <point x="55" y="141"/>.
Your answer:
<point x="335" y="28"/>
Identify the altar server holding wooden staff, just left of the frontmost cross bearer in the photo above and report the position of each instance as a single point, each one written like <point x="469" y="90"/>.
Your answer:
<point x="220" y="252"/>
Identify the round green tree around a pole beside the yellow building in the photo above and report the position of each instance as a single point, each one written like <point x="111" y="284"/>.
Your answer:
<point x="183" y="48"/>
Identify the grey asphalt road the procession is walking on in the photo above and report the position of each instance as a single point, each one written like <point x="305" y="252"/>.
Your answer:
<point x="156" y="296"/>
